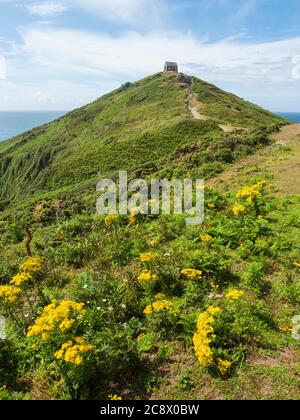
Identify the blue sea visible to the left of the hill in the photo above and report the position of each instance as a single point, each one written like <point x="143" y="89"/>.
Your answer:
<point x="13" y="123"/>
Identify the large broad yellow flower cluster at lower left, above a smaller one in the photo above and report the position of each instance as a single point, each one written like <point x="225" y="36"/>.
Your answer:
<point x="61" y="315"/>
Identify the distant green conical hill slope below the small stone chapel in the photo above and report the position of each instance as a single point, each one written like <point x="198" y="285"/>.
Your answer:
<point x="139" y="127"/>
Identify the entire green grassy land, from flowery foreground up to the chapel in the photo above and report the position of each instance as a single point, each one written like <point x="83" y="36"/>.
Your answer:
<point x="146" y="307"/>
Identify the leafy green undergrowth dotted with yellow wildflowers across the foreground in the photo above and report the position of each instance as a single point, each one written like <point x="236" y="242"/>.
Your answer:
<point x="109" y="301"/>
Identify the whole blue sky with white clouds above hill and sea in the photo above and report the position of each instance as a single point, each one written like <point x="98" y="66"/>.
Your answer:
<point x="60" y="54"/>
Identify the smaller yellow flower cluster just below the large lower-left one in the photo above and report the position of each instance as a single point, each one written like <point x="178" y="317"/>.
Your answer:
<point x="73" y="351"/>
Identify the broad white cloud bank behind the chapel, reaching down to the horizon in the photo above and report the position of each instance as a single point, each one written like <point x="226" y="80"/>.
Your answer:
<point x="260" y="72"/>
